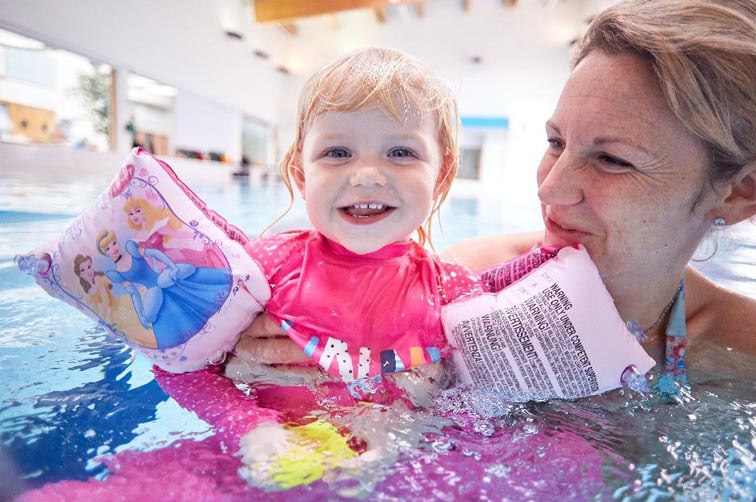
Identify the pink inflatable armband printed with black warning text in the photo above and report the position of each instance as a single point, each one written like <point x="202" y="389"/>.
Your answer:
<point x="552" y="332"/>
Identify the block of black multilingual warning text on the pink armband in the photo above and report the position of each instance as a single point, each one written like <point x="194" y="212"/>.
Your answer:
<point x="530" y="347"/>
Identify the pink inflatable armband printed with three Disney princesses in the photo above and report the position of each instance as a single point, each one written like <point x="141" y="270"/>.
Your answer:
<point x="153" y="265"/>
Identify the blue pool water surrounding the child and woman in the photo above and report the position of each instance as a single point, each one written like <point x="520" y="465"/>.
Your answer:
<point x="70" y="394"/>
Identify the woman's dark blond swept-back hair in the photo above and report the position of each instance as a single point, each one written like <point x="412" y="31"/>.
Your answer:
<point x="703" y="53"/>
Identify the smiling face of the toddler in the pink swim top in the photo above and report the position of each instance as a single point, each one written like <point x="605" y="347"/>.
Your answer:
<point x="368" y="180"/>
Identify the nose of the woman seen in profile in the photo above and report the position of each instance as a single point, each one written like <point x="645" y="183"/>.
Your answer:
<point x="559" y="181"/>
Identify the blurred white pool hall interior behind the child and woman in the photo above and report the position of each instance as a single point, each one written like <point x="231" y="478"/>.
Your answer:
<point x="215" y="81"/>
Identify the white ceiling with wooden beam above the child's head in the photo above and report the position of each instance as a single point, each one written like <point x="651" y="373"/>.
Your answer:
<point x="498" y="54"/>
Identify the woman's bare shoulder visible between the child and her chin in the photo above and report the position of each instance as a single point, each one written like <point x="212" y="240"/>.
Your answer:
<point x="484" y="252"/>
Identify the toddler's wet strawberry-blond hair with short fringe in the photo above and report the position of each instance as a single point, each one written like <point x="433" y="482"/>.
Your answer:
<point x="398" y="84"/>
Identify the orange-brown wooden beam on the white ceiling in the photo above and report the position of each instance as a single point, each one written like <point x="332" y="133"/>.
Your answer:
<point x="278" y="10"/>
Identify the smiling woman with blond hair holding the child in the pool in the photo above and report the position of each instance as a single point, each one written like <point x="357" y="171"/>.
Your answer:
<point x="652" y="144"/>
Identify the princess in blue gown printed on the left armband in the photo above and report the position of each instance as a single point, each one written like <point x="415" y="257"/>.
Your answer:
<point x="175" y="301"/>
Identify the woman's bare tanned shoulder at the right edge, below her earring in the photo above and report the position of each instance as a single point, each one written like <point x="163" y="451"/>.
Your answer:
<point x="718" y="315"/>
